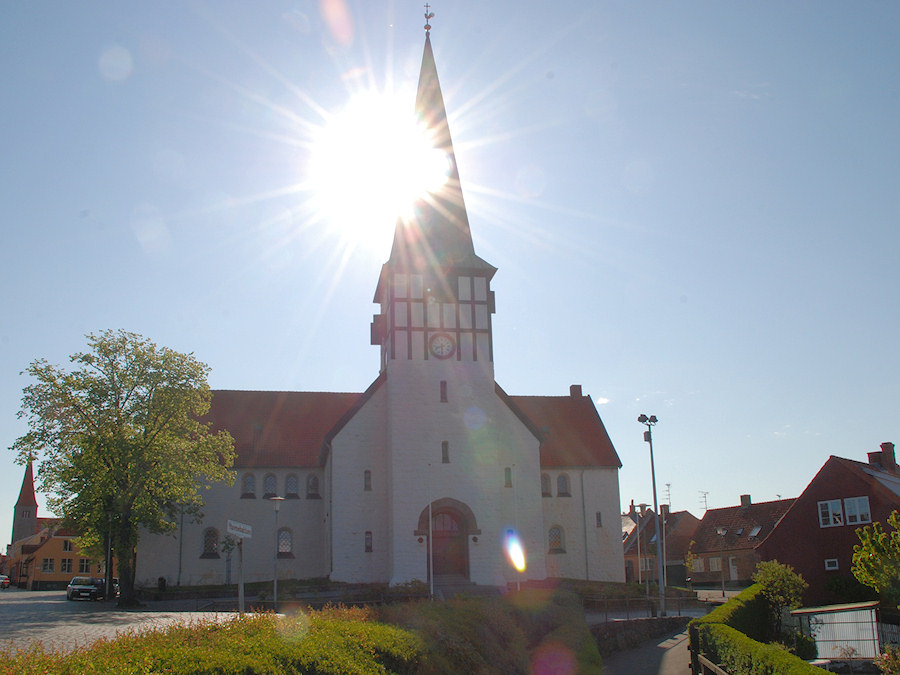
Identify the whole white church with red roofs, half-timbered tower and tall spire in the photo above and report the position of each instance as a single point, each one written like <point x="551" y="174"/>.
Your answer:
<point x="434" y="472"/>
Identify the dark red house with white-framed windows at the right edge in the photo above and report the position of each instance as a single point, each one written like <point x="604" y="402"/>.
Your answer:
<point x="817" y="534"/>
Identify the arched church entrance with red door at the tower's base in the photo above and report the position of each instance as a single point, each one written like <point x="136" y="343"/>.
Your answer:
<point x="452" y="523"/>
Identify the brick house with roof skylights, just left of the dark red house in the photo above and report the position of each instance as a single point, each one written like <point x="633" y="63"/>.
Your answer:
<point x="726" y="543"/>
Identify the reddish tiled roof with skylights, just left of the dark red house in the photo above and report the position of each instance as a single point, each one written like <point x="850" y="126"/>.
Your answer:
<point x="745" y="526"/>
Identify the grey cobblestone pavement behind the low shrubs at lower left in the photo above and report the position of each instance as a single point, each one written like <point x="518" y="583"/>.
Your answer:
<point x="47" y="617"/>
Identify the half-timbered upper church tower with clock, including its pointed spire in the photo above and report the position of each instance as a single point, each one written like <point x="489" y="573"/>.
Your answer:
<point x="434" y="292"/>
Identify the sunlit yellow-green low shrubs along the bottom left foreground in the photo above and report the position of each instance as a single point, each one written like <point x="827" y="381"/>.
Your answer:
<point x="265" y="644"/>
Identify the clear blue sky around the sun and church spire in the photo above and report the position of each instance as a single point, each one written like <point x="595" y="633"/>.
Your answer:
<point x="693" y="207"/>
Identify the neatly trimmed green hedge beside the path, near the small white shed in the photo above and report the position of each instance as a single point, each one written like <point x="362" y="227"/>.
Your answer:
<point x="724" y="636"/>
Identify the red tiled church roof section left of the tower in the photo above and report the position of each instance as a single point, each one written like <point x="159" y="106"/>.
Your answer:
<point x="278" y="428"/>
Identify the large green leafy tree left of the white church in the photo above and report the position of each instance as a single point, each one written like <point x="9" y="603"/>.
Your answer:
<point x="121" y="442"/>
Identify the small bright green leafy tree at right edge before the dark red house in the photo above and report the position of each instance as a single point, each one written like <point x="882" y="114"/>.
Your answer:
<point x="876" y="559"/>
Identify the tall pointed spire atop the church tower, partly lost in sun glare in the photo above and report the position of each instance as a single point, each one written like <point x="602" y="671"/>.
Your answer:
<point x="437" y="236"/>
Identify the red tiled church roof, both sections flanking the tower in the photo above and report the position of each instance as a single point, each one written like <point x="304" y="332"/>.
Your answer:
<point x="278" y="428"/>
